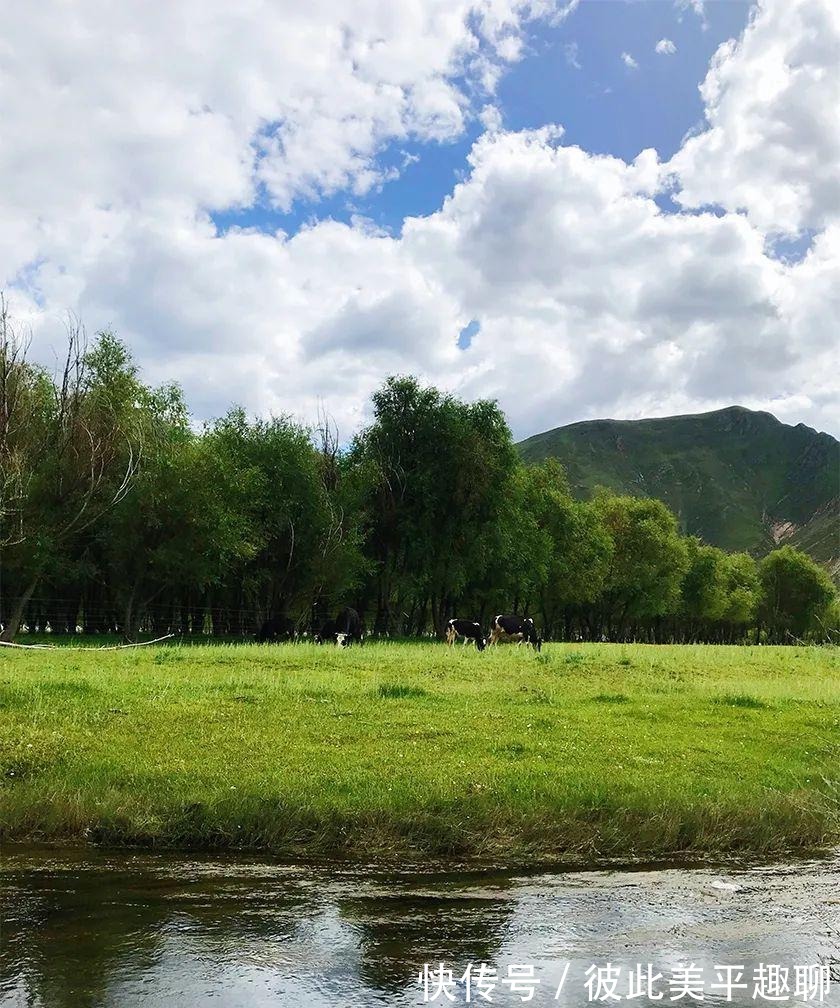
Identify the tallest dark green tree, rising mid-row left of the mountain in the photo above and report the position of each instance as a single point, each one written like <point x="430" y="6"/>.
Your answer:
<point x="441" y="471"/>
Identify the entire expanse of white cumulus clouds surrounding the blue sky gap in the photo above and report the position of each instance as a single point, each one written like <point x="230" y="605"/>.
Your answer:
<point x="562" y="261"/>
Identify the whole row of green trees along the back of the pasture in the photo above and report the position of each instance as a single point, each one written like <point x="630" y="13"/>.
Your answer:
<point x="117" y="516"/>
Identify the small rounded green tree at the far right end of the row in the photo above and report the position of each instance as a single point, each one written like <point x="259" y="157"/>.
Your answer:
<point x="797" y="594"/>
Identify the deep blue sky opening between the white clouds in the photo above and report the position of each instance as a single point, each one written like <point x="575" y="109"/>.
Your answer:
<point x="571" y="74"/>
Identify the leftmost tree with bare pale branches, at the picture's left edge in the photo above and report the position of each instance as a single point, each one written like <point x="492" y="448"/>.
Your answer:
<point x="70" y="447"/>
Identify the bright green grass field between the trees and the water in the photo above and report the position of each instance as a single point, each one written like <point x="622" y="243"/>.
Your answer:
<point x="412" y="750"/>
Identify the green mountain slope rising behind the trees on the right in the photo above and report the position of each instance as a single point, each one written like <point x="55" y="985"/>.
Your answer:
<point x="737" y="478"/>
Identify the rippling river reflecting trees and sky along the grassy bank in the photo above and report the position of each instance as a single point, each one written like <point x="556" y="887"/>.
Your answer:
<point x="90" y="930"/>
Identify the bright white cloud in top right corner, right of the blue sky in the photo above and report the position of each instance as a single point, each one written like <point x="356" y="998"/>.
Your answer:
<point x="773" y="144"/>
